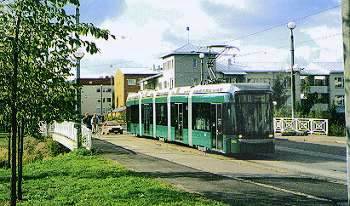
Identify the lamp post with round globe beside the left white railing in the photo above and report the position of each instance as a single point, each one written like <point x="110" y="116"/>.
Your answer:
<point x="79" y="54"/>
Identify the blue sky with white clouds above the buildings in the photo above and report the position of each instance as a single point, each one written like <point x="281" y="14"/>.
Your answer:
<point x="147" y="29"/>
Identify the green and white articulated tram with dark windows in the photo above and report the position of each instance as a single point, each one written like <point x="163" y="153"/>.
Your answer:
<point x="227" y="118"/>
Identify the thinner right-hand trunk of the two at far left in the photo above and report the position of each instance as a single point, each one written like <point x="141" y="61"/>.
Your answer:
<point x="20" y="159"/>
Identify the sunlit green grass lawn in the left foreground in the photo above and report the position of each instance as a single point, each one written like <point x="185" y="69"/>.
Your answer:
<point x="74" y="179"/>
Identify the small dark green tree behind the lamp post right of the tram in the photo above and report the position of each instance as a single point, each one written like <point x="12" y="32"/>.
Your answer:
<point x="280" y="90"/>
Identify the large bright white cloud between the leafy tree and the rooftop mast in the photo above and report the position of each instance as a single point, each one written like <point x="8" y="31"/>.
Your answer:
<point x="152" y="28"/>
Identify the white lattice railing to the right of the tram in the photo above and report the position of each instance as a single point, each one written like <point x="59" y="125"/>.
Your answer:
<point x="311" y="126"/>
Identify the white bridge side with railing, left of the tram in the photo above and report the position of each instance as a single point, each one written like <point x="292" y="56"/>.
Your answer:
<point x="66" y="134"/>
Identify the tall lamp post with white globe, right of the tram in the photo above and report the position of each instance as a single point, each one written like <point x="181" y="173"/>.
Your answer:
<point x="291" y="26"/>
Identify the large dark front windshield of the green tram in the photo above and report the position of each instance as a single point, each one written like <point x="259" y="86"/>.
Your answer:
<point x="254" y="115"/>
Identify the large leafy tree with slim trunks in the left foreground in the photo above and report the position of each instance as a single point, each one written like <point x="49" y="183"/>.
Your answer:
<point x="37" y="42"/>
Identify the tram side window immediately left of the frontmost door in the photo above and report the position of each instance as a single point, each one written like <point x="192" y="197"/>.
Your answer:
<point x="201" y="116"/>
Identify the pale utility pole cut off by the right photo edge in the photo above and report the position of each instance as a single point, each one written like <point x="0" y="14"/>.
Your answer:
<point x="346" y="50"/>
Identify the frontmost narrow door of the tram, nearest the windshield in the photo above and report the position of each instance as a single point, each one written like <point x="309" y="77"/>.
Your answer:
<point x="217" y="127"/>
